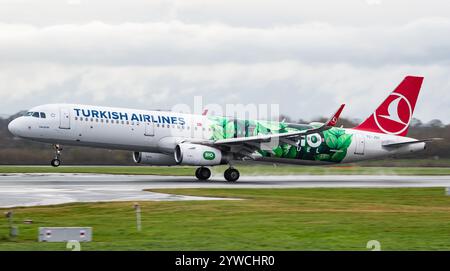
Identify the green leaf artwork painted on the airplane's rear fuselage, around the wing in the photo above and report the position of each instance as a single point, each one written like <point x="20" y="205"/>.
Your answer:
<point x="328" y="146"/>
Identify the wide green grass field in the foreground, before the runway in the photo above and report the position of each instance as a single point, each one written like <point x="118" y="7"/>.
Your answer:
<point x="268" y="219"/>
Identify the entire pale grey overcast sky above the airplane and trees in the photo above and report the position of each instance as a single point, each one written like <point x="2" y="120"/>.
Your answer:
<point x="306" y="56"/>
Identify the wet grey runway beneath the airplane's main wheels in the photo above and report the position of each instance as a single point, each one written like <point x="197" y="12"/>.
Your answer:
<point x="48" y="189"/>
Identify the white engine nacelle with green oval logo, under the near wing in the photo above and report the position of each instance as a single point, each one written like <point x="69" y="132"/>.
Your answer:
<point x="198" y="155"/>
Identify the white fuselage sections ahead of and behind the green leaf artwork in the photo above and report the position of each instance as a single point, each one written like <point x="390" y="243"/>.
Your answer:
<point x="157" y="131"/>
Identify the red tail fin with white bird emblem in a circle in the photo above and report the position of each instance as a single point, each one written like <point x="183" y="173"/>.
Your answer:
<point x="394" y="114"/>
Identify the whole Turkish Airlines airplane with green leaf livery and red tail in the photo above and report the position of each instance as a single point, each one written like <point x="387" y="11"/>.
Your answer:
<point x="168" y="138"/>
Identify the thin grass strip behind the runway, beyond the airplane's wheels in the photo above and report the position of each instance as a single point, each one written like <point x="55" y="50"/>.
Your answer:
<point x="244" y="169"/>
